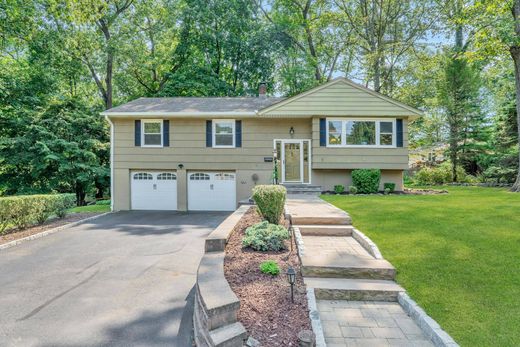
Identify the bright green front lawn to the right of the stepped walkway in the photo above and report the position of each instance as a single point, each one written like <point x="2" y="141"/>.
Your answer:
<point x="458" y="255"/>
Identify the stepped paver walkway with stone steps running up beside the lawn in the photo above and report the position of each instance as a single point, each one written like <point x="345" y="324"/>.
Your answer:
<point x="355" y="289"/>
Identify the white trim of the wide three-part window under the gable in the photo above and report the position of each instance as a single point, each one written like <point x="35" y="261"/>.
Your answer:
<point x="362" y="119"/>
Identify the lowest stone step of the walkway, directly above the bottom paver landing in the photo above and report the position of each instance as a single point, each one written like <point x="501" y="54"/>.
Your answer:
<point x="353" y="289"/>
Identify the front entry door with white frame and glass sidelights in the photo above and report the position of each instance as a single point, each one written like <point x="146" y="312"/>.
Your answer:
<point x="295" y="159"/>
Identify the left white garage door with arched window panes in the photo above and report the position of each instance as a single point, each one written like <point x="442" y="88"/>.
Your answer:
<point x="154" y="190"/>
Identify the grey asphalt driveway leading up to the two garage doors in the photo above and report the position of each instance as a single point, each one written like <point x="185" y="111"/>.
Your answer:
<point x="120" y="280"/>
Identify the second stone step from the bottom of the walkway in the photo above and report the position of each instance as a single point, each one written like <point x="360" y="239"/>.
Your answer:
<point x="346" y="266"/>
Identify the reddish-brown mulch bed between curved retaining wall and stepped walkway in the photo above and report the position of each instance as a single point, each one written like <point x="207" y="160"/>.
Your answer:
<point x="266" y="310"/>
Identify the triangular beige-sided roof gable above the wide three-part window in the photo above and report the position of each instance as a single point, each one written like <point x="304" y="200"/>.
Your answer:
<point x="340" y="97"/>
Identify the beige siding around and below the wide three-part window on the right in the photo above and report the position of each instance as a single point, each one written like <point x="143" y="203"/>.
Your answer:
<point x="358" y="157"/>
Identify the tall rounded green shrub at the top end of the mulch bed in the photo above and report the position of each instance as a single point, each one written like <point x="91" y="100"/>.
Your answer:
<point x="270" y="200"/>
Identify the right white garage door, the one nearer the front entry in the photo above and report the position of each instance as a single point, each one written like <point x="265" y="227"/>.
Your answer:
<point x="210" y="191"/>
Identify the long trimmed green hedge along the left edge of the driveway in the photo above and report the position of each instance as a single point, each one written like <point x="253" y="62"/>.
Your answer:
<point x="24" y="210"/>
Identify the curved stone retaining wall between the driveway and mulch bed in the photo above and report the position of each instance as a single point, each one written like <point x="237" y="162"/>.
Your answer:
<point x="216" y="306"/>
